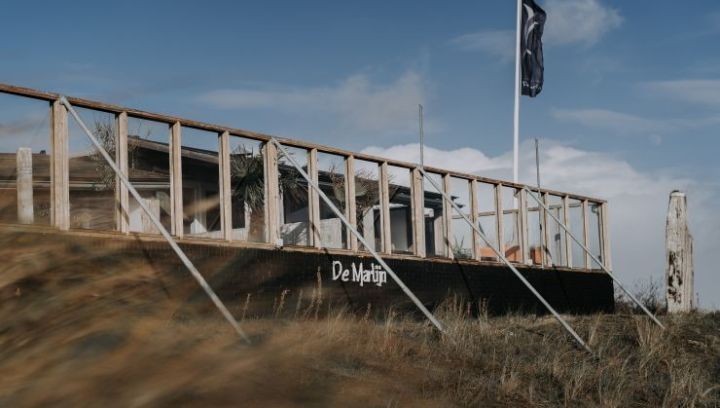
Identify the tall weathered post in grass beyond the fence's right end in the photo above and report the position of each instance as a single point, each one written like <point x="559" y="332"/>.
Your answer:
<point x="678" y="243"/>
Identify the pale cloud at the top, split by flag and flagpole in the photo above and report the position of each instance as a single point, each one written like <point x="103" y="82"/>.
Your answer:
<point x="569" y="22"/>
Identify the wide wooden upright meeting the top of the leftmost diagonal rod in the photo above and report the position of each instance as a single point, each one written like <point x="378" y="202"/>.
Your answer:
<point x="60" y="175"/>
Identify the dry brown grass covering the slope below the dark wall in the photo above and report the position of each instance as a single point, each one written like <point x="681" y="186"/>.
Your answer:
<point x="82" y="327"/>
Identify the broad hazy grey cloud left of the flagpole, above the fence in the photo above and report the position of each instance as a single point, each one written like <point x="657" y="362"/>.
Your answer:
<point x="355" y="103"/>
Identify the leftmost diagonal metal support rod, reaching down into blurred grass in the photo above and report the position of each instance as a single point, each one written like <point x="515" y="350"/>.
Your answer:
<point x="123" y="178"/>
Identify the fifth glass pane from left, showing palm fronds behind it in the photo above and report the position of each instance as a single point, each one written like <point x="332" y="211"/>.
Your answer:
<point x="247" y="189"/>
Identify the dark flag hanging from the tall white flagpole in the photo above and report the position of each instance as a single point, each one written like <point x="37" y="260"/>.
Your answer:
<point x="531" y="58"/>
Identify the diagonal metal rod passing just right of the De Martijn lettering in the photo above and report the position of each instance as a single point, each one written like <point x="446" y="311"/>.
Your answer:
<point x="359" y="236"/>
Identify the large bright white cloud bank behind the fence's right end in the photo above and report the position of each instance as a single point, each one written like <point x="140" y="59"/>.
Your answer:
<point x="637" y="201"/>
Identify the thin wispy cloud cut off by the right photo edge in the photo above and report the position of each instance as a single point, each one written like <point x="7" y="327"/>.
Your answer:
<point x="701" y="91"/>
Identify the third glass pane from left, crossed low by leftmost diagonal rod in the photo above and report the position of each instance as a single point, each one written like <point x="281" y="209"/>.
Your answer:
<point x="149" y="173"/>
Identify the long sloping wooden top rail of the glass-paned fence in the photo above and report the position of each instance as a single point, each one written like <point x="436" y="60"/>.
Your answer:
<point x="169" y="119"/>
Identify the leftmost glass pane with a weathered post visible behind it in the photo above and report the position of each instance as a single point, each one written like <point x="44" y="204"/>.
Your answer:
<point x="24" y="124"/>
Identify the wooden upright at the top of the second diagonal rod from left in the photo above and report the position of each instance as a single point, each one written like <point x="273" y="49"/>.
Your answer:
<point x="272" y="194"/>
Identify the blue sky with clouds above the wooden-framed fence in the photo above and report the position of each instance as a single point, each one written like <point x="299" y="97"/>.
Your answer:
<point x="630" y="109"/>
